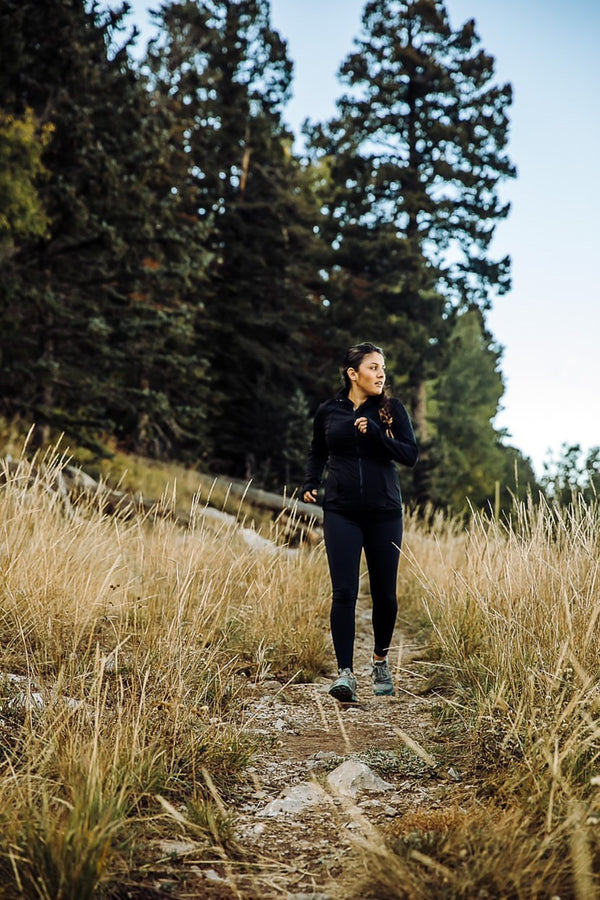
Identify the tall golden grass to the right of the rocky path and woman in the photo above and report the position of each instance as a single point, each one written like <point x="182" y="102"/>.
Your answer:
<point x="512" y="610"/>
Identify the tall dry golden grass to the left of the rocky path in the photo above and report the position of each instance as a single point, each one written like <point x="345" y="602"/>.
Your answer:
<point x="134" y="641"/>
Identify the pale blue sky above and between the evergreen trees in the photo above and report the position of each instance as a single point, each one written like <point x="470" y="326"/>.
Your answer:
<point x="549" y="323"/>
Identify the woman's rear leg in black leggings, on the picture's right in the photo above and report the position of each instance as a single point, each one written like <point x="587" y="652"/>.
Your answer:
<point x="383" y="539"/>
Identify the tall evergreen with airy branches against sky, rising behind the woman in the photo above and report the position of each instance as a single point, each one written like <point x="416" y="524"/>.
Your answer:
<point x="416" y="155"/>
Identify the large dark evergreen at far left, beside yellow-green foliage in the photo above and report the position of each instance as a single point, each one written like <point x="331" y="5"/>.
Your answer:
<point x="96" y="317"/>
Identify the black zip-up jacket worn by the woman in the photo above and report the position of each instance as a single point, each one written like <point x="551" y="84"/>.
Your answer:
<point x="361" y="470"/>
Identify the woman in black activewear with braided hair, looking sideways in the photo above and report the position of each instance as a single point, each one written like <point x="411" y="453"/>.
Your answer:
<point x="359" y="435"/>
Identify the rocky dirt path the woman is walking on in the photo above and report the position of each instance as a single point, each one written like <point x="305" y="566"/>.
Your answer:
<point x="329" y="775"/>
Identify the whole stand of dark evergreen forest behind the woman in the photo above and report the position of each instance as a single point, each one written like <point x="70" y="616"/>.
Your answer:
<point x="181" y="281"/>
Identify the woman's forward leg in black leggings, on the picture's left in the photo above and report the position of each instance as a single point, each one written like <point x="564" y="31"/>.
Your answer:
<point x="343" y="542"/>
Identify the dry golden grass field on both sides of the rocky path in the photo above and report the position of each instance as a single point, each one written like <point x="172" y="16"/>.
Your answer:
<point x="127" y="646"/>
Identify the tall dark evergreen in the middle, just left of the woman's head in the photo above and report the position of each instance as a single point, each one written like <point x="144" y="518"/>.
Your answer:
<point x="226" y="72"/>
